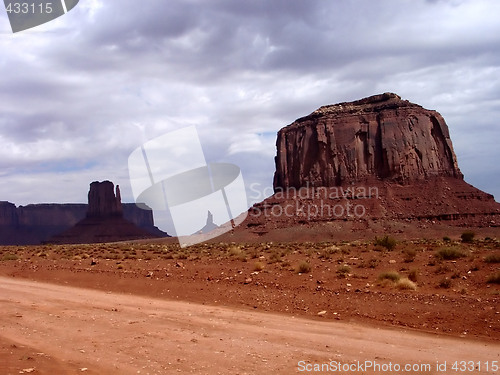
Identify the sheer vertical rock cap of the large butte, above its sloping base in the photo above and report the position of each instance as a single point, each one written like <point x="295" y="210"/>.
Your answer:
<point x="380" y="137"/>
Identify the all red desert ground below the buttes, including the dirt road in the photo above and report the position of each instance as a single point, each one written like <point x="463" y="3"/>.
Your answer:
<point x="151" y="307"/>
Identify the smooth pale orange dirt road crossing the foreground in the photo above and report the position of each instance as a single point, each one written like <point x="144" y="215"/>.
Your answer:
<point x="53" y="329"/>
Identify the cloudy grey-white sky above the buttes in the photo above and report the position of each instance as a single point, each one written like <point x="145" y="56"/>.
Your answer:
<point x="79" y="94"/>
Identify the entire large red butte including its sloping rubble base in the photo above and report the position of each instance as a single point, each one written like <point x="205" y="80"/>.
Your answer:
<point x="371" y="164"/>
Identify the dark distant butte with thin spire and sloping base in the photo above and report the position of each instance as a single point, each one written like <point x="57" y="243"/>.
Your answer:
<point x="104" y="221"/>
